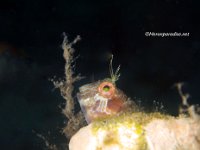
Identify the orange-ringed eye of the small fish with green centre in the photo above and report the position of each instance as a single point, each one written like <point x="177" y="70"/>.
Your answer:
<point x="106" y="89"/>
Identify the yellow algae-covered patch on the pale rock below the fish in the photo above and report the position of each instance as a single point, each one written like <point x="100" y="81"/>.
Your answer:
<point x="124" y="131"/>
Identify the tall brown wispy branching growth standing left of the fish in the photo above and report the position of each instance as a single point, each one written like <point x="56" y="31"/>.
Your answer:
<point x="66" y="87"/>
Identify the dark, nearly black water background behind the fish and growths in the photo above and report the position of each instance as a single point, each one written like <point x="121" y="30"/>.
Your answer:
<point x="30" y="54"/>
